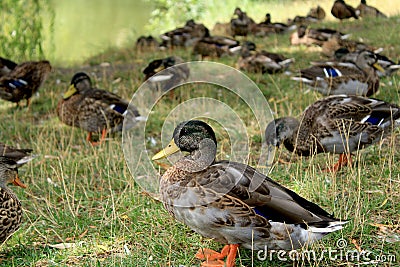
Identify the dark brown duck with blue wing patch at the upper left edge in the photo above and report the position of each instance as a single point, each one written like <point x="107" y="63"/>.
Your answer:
<point x="24" y="80"/>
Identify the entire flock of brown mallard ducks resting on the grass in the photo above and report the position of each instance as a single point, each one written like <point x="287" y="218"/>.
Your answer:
<point x="216" y="198"/>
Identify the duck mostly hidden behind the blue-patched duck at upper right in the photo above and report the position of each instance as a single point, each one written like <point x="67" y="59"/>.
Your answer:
<point x="389" y="66"/>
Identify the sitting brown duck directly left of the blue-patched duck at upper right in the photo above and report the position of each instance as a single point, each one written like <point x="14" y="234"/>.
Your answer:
<point x="262" y="61"/>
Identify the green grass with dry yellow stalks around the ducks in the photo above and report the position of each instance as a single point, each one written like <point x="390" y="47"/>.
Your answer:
<point x="86" y="196"/>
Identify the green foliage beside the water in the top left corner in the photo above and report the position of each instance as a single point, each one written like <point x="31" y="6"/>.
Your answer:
<point x="21" y="35"/>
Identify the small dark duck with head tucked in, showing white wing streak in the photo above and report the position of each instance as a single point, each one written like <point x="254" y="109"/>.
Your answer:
<point x="170" y="77"/>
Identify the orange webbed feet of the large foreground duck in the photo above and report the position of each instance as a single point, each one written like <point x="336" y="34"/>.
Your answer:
<point x="214" y="259"/>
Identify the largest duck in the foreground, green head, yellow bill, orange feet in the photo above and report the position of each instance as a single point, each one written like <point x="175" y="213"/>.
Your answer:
<point x="220" y="200"/>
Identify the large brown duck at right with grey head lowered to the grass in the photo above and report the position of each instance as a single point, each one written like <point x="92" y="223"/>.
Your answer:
<point x="338" y="124"/>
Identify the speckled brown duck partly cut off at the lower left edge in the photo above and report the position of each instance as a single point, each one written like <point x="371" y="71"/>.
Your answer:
<point x="10" y="209"/>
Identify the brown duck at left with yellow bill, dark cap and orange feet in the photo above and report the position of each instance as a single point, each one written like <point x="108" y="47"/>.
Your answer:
<point x="94" y="110"/>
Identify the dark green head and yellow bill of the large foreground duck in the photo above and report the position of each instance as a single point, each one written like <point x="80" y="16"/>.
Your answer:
<point x="188" y="136"/>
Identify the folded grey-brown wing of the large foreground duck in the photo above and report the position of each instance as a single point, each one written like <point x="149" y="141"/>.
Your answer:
<point x="266" y="197"/>
